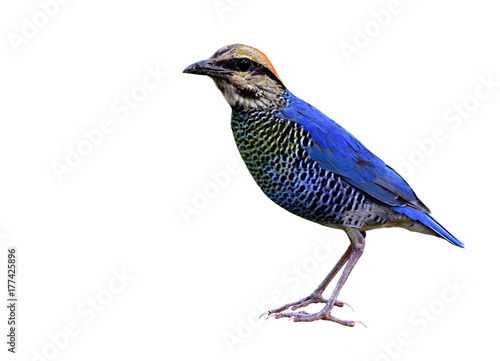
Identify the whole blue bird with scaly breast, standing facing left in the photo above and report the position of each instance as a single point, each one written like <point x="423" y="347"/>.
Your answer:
<point x="311" y="166"/>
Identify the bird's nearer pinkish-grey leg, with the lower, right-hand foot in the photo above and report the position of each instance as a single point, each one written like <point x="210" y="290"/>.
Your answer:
<point x="356" y="250"/>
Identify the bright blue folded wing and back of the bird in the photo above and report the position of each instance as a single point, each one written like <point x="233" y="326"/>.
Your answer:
<point x="338" y="151"/>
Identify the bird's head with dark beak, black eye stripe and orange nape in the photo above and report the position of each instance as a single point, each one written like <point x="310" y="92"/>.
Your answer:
<point x="244" y="75"/>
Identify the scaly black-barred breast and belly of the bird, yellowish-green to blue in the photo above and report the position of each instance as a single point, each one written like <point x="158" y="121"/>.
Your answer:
<point x="275" y="152"/>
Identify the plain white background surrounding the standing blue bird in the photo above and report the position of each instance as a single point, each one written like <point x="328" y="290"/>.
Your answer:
<point x="194" y="281"/>
